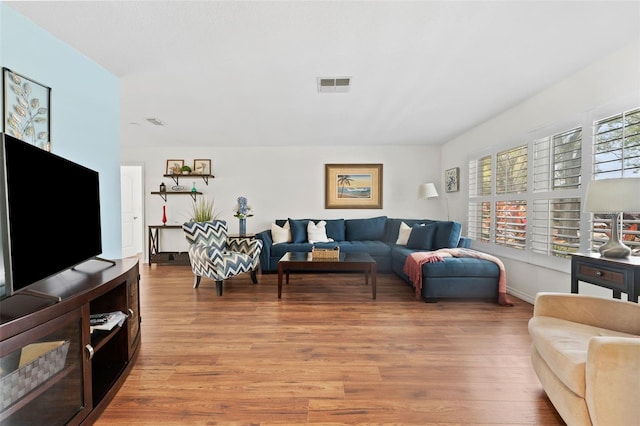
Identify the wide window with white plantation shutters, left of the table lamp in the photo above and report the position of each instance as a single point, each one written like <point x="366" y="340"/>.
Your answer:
<point x="544" y="217"/>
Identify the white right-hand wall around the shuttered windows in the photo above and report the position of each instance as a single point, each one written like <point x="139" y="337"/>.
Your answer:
<point x="609" y="86"/>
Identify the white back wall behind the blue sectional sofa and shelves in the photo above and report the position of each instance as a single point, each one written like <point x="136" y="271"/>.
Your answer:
<point x="282" y="182"/>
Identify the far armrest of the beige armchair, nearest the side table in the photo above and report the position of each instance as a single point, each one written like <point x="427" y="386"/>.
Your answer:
<point x="612" y="314"/>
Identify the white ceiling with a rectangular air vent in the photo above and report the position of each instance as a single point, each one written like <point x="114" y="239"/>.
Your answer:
<point x="241" y="73"/>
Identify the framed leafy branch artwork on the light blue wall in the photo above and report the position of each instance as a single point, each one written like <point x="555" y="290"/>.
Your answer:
<point x="26" y="109"/>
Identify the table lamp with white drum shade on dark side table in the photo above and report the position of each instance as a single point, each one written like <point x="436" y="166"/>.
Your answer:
<point x="613" y="196"/>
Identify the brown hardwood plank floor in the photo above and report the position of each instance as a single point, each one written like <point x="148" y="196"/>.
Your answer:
<point x="326" y="353"/>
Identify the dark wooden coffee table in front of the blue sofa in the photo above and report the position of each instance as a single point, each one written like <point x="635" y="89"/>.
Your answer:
<point x="347" y="262"/>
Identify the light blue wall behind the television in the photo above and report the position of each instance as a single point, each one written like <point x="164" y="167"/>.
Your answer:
<point x="84" y="113"/>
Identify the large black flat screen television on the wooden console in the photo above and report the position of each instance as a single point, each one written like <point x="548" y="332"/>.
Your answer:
<point x="50" y="214"/>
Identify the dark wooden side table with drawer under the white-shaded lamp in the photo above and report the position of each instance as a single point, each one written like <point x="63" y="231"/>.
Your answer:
<point x="620" y="275"/>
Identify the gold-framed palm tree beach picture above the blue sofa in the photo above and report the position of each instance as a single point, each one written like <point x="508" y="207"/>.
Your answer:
<point x="353" y="186"/>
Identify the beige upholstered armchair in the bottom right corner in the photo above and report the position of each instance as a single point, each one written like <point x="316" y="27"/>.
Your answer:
<point x="586" y="353"/>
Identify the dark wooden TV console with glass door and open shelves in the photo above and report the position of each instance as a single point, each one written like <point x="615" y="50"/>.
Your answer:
<point x="53" y="369"/>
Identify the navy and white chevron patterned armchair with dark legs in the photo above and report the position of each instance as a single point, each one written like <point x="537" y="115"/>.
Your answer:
<point x="214" y="256"/>
